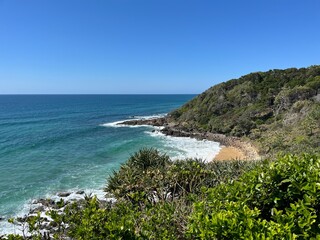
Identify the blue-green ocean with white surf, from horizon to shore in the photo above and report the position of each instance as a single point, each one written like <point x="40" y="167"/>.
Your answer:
<point x="56" y="143"/>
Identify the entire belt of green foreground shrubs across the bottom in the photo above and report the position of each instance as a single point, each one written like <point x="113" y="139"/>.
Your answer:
<point x="222" y="200"/>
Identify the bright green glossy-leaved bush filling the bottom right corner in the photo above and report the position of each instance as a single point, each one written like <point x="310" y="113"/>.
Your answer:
<point x="278" y="200"/>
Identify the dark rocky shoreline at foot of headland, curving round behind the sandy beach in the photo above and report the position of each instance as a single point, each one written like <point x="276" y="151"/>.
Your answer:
<point x="170" y="128"/>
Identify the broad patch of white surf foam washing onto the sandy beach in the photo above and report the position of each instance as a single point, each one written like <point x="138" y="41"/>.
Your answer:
<point x="186" y="147"/>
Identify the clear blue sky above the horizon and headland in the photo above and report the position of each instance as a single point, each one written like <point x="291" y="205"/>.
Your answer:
<point x="150" y="46"/>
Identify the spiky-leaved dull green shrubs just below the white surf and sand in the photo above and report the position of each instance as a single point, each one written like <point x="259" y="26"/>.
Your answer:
<point x="150" y="177"/>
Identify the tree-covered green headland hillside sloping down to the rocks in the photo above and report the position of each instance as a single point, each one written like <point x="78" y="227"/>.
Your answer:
<point x="278" y="110"/>
